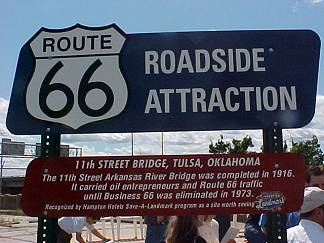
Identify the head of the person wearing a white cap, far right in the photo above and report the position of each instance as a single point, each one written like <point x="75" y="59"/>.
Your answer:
<point x="313" y="205"/>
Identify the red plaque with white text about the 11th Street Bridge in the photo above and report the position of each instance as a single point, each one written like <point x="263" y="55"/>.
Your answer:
<point x="163" y="185"/>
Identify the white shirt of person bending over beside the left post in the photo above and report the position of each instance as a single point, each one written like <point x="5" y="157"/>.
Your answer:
<point x="73" y="224"/>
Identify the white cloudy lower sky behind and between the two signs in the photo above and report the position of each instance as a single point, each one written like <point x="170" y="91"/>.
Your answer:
<point x="150" y="143"/>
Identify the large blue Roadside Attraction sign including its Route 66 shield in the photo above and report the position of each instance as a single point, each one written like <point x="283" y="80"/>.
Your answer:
<point x="91" y="80"/>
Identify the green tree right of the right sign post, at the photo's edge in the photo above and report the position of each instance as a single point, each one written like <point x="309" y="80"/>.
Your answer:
<point x="311" y="150"/>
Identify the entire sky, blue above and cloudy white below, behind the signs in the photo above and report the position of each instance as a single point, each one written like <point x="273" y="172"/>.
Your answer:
<point x="20" y="20"/>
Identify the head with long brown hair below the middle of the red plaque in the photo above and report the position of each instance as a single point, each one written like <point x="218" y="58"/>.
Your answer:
<point x="182" y="228"/>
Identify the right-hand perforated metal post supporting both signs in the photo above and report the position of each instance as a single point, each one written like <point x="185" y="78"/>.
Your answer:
<point x="276" y="223"/>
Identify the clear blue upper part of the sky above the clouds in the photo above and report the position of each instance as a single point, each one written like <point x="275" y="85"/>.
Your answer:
<point x="19" y="20"/>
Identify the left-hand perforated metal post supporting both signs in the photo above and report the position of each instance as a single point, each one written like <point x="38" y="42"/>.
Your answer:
<point x="47" y="227"/>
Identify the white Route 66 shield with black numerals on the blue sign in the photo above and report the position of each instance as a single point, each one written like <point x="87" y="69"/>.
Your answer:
<point x="77" y="79"/>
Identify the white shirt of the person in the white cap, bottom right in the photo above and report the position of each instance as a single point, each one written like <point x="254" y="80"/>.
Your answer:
<point x="306" y="232"/>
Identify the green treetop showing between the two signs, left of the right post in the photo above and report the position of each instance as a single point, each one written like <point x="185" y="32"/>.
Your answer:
<point x="235" y="146"/>
